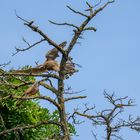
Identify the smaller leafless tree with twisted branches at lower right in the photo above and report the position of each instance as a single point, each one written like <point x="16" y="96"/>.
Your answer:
<point x="110" y="118"/>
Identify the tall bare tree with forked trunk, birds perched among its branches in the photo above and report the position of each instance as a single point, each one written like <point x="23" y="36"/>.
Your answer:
<point x="60" y="71"/>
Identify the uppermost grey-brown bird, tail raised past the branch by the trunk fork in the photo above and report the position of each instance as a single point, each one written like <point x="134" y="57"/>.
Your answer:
<point x="53" y="53"/>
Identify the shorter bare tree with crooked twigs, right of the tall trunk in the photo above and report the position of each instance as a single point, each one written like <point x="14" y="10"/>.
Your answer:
<point x="107" y="117"/>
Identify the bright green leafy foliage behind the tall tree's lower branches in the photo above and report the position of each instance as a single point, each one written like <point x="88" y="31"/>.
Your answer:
<point x="28" y="113"/>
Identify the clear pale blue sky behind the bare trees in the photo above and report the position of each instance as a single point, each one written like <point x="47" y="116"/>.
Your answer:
<point x="110" y="58"/>
